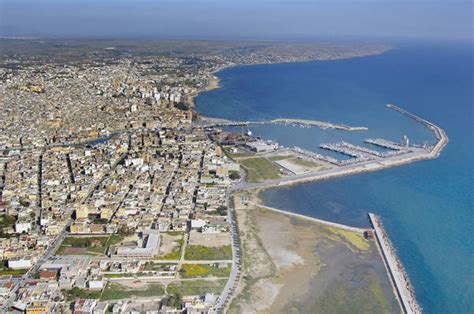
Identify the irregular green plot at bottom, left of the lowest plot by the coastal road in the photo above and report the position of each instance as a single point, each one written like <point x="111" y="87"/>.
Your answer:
<point x="115" y="291"/>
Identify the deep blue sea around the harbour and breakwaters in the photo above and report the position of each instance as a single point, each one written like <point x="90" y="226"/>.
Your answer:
<point x="427" y="207"/>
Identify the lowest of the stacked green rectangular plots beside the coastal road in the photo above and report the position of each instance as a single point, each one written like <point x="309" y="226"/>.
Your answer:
<point x="196" y="287"/>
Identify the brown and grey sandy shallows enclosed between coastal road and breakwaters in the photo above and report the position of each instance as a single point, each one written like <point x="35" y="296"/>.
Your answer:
<point x="296" y="266"/>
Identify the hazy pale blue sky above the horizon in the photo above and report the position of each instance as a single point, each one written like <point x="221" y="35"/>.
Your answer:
<point x="237" y="19"/>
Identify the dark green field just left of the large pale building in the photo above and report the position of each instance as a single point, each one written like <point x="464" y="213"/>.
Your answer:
<point x="92" y="245"/>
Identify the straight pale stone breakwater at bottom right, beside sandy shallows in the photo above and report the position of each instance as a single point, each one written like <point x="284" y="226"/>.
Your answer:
<point x="395" y="269"/>
